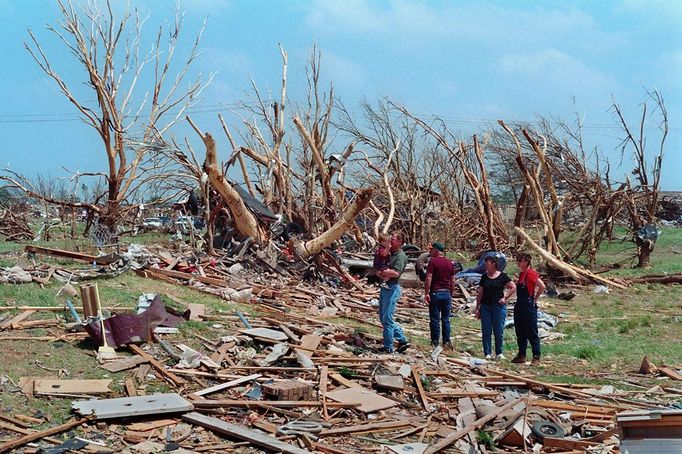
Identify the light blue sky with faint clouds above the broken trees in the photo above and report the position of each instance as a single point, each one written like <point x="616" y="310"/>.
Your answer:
<point x="468" y="61"/>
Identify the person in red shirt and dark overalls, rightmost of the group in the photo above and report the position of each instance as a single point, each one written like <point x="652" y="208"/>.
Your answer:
<point x="528" y="289"/>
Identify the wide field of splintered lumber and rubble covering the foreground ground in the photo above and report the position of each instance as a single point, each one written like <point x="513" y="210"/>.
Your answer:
<point x="292" y="378"/>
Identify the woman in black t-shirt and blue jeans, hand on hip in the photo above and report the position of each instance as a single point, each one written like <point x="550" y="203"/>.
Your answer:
<point x="491" y="305"/>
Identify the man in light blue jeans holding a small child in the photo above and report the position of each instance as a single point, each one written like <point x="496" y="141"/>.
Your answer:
<point x="389" y="295"/>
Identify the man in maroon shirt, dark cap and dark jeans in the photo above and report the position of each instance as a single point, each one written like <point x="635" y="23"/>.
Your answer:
<point x="439" y="287"/>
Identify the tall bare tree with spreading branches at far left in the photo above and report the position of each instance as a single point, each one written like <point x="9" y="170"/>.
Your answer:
<point x="110" y="52"/>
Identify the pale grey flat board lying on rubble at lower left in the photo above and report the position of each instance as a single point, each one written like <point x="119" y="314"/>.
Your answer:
<point x="122" y="407"/>
